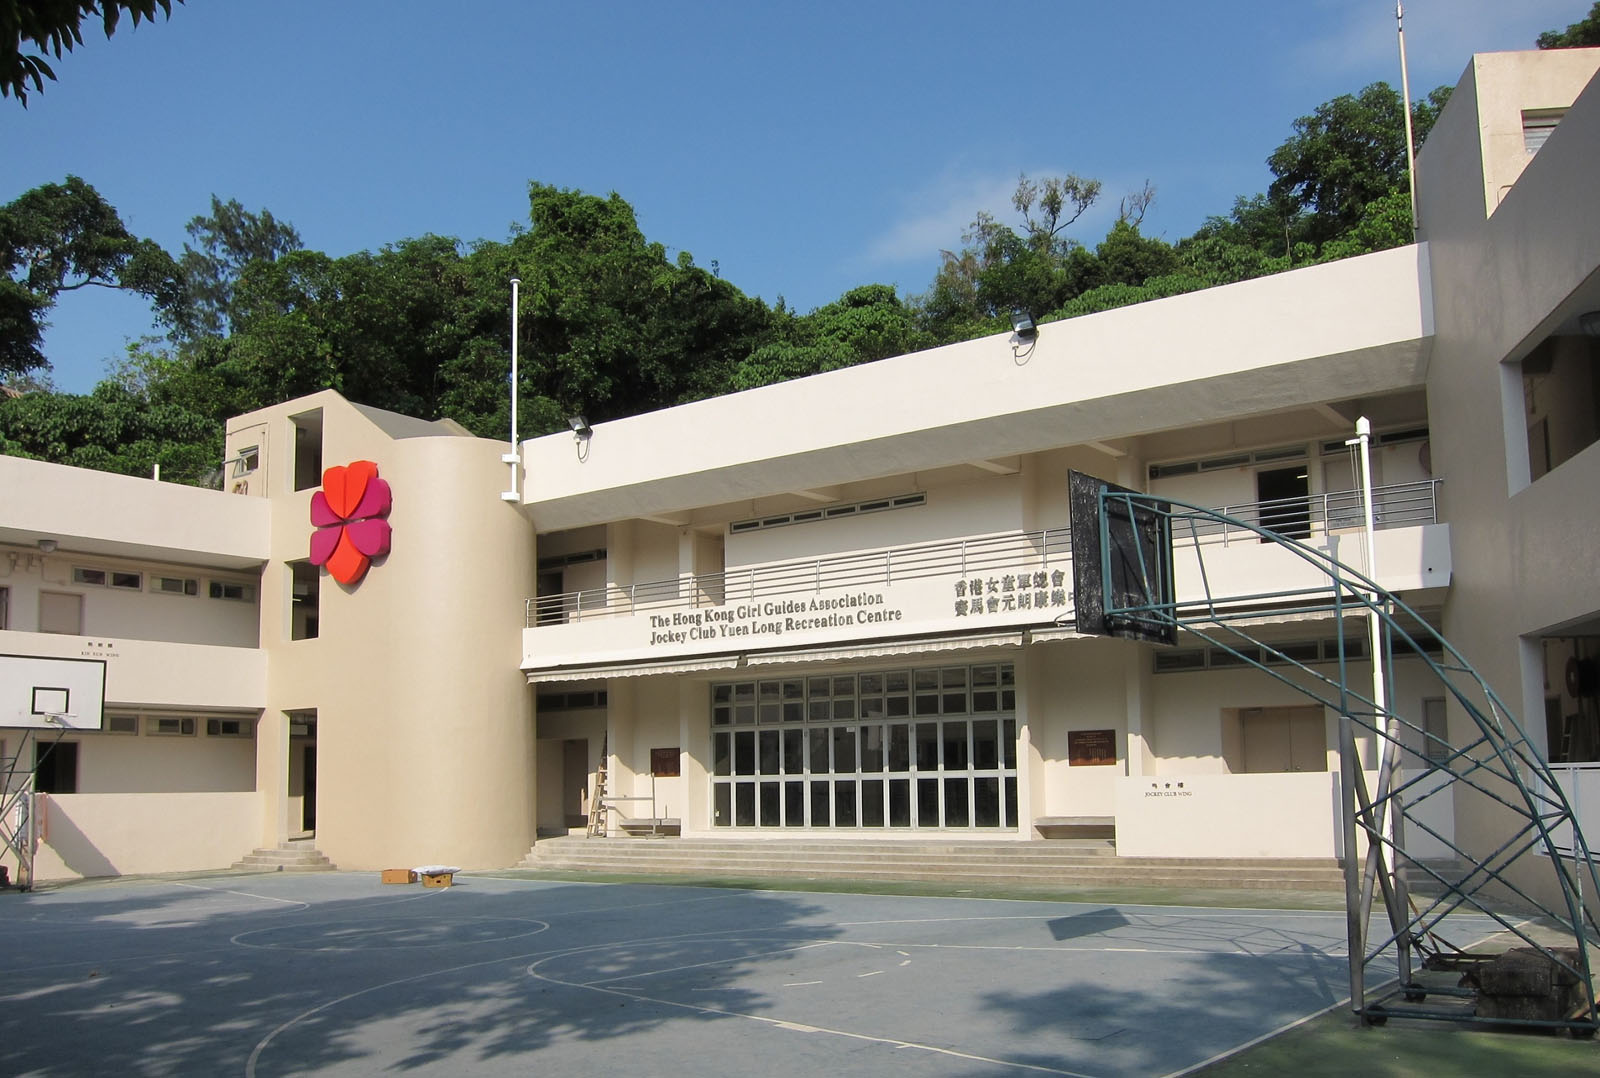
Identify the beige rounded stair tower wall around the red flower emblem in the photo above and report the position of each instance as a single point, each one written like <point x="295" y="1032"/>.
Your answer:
<point x="425" y="727"/>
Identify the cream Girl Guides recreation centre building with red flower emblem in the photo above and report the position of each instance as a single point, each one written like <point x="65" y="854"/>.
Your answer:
<point x="846" y="604"/>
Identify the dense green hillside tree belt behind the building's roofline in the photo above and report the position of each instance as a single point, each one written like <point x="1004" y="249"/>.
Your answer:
<point x="610" y="325"/>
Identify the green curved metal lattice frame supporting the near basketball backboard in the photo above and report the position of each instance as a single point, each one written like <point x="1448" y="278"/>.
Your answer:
<point x="1500" y="764"/>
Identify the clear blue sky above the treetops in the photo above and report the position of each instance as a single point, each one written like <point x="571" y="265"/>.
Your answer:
<point x="807" y="148"/>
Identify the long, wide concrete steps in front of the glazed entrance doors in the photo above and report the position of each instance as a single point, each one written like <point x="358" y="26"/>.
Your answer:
<point x="1073" y="863"/>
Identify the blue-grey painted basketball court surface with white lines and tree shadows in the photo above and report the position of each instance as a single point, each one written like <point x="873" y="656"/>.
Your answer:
<point x="340" y="975"/>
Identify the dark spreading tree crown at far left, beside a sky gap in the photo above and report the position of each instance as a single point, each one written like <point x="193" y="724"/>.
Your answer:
<point x="65" y="238"/>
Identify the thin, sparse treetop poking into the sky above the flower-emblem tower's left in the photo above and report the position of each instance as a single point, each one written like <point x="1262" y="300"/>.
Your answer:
<point x="230" y="239"/>
